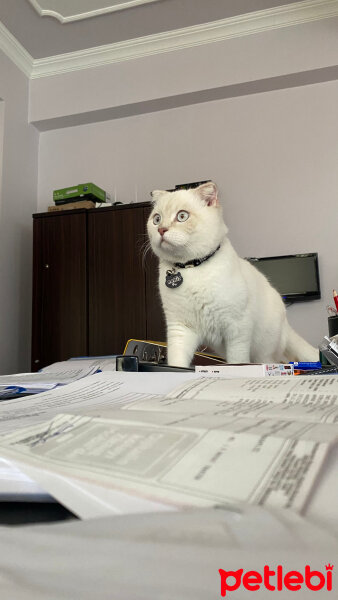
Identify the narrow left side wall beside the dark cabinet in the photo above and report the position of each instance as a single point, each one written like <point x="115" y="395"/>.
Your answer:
<point x="17" y="203"/>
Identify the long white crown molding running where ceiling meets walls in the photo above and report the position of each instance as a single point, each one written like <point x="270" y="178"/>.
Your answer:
<point x="188" y="37"/>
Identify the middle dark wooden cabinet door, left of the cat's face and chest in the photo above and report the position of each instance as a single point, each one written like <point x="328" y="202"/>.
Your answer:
<point x="116" y="279"/>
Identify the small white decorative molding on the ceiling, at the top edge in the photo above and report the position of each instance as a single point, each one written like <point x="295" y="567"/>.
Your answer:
<point x="67" y="14"/>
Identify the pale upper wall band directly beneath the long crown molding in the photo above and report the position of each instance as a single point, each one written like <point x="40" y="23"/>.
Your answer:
<point x="251" y="59"/>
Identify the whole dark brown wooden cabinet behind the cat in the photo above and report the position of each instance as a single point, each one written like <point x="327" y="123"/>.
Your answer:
<point x="92" y="288"/>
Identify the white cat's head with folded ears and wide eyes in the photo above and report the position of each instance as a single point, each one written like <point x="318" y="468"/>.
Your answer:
<point x="186" y="224"/>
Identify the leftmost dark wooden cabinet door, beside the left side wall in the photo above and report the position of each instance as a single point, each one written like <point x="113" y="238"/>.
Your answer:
<point x="59" y="289"/>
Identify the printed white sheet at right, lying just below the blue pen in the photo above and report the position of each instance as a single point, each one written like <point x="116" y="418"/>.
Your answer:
<point x="309" y="399"/>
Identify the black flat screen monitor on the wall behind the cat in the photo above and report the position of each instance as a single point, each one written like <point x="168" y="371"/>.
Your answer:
<point x="295" y="276"/>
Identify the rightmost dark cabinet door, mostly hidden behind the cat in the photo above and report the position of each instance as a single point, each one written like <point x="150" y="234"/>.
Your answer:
<point x="156" y="330"/>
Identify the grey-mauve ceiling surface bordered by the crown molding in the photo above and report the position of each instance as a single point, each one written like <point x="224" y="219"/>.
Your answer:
<point x="44" y="35"/>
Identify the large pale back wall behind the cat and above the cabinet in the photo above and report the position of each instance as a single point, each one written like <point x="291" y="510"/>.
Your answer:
<point x="273" y="155"/>
